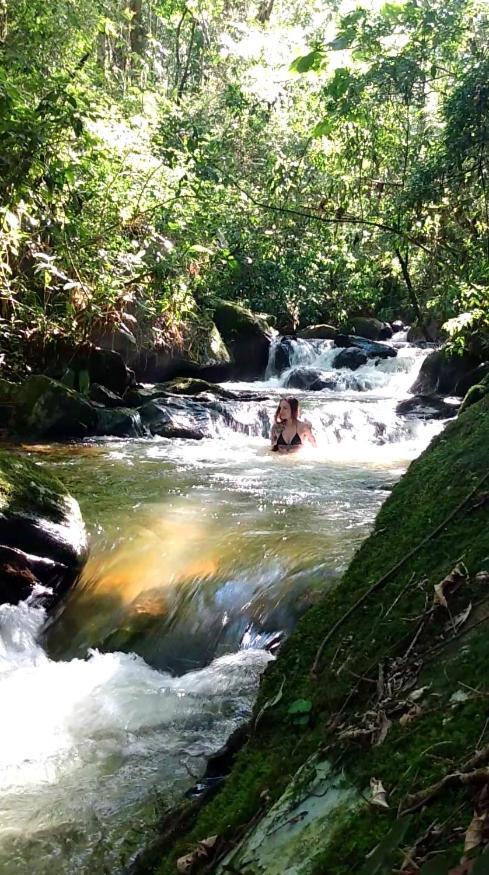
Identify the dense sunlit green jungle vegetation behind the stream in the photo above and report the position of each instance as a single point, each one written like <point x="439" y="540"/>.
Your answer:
<point x="312" y="160"/>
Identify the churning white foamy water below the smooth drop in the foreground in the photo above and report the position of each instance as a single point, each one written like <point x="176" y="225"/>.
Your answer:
<point x="85" y="743"/>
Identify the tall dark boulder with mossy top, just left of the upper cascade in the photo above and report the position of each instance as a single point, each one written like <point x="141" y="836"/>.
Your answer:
<point x="247" y="337"/>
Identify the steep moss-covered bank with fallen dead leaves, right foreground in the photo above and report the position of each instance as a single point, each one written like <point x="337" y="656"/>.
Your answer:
<point x="396" y="640"/>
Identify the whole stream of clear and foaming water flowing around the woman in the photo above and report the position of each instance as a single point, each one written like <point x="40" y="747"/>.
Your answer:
<point x="202" y="552"/>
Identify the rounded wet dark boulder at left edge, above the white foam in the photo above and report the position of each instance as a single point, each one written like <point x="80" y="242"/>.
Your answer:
<point x="42" y="536"/>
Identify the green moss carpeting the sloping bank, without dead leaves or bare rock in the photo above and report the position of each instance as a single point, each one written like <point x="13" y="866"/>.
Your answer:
<point x="414" y="755"/>
